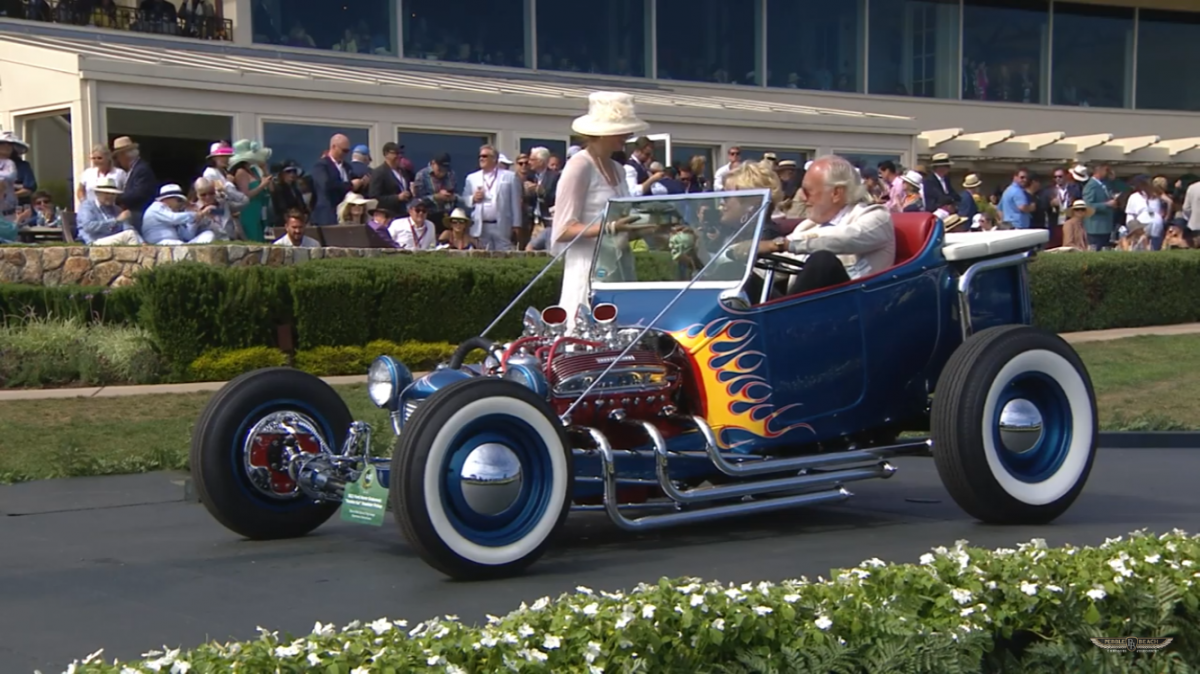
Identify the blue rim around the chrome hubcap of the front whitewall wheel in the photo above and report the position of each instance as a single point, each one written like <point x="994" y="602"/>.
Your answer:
<point x="537" y="486"/>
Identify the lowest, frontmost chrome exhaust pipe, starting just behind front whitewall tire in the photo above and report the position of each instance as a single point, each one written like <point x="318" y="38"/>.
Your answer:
<point x="693" y="516"/>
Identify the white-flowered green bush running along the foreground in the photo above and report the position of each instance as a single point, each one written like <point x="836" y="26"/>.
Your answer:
<point x="961" y="610"/>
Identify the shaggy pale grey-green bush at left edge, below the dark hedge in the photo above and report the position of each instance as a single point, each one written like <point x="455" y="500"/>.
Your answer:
<point x="59" y="353"/>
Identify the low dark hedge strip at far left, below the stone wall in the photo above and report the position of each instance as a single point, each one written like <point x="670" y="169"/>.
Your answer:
<point x="113" y="306"/>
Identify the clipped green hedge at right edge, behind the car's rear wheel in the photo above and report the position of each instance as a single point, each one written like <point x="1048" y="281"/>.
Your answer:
<point x="1115" y="290"/>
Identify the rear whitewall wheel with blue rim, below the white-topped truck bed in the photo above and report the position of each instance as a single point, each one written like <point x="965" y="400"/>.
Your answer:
<point x="1015" y="426"/>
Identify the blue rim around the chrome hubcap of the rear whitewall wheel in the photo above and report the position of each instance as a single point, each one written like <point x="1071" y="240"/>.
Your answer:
<point x="1047" y="456"/>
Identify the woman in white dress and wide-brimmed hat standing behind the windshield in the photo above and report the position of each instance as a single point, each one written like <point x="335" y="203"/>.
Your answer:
<point x="589" y="180"/>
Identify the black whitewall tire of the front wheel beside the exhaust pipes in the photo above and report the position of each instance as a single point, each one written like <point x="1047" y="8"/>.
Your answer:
<point x="419" y="479"/>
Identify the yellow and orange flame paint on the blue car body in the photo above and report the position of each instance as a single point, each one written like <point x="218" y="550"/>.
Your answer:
<point x="739" y="395"/>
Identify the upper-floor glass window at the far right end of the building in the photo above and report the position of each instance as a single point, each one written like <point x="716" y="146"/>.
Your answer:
<point x="1168" y="45"/>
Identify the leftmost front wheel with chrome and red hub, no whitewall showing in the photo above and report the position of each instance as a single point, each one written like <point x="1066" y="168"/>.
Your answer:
<point x="236" y="455"/>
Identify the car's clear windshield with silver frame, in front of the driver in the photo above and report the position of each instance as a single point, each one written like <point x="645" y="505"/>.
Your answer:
<point x="673" y="238"/>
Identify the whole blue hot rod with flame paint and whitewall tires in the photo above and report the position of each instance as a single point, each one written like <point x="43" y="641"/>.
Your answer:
<point x="692" y="386"/>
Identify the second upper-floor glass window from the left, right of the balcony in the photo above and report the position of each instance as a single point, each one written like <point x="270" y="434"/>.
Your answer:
<point x="467" y="32"/>
